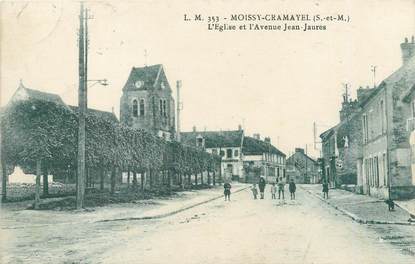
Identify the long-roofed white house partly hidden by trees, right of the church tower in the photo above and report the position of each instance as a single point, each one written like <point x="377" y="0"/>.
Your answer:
<point x="227" y="144"/>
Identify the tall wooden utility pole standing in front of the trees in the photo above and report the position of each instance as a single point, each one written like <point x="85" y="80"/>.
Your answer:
<point x="82" y="97"/>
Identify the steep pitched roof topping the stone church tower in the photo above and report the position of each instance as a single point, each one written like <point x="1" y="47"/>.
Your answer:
<point x="149" y="75"/>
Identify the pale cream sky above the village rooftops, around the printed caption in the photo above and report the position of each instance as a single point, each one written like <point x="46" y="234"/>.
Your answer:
<point x="279" y="83"/>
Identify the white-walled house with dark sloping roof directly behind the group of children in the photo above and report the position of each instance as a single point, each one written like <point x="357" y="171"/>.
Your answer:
<point x="261" y="158"/>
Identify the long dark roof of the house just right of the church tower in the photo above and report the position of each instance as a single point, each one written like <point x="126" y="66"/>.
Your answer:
<point x="214" y="139"/>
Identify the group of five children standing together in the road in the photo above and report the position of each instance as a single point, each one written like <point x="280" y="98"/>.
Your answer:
<point x="280" y="186"/>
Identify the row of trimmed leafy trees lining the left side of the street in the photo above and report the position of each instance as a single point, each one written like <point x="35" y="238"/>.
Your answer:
<point x="41" y="136"/>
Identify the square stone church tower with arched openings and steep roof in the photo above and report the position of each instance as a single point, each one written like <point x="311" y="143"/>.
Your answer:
<point x="147" y="101"/>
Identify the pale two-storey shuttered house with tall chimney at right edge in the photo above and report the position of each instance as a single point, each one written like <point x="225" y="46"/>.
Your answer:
<point x="386" y="166"/>
